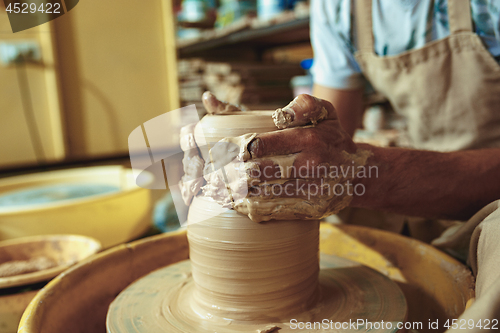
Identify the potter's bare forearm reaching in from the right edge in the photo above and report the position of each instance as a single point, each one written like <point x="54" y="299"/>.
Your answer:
<point x="430" y="184"/>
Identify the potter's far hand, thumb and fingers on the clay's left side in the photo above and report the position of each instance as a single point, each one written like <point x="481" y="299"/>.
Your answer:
<point x="193" y="164"/>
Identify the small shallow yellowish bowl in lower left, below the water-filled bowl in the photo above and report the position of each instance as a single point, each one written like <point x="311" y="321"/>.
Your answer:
<point x="65" y="250"/>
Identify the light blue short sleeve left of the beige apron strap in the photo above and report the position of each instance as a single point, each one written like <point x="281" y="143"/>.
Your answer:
<point x="334" y="63"/>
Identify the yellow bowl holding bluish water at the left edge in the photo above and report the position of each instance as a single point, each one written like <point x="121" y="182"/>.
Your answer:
<point x="111" y="218"/>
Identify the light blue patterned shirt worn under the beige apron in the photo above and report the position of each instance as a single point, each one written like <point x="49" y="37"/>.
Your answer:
<point x="398" y="26"/>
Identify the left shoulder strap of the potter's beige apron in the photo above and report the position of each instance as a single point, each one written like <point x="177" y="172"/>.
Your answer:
<point x="363" y="18"/>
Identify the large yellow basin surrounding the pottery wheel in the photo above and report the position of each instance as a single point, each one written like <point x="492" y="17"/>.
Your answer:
<point x="435" y="285"/>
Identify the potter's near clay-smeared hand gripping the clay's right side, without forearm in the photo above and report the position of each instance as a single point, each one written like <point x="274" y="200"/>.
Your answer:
<point x="306" y="170"/>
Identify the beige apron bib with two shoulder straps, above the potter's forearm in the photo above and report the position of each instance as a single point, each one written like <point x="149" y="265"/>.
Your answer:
<point x="449" y="90"/>
